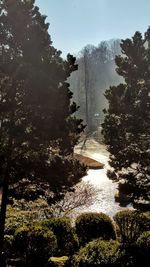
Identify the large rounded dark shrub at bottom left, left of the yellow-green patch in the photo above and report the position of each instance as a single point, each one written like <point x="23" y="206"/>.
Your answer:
<point x="35" y="245"/>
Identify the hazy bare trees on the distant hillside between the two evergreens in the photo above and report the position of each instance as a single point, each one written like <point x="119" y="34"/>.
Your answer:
<point x="96" y="72"/>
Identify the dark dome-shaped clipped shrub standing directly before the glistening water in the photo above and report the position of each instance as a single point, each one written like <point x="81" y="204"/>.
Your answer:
<point x="90" y="226"/>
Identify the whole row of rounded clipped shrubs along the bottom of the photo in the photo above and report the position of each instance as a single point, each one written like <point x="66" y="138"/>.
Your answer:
<point x="95" y="240"/>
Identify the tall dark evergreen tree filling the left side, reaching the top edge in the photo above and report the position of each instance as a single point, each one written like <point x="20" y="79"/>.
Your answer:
<point x="35" y="100"/>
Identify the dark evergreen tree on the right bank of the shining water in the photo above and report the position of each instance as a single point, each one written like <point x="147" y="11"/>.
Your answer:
<point x="127" y="122"/>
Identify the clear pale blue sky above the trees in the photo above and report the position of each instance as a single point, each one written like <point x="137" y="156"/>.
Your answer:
<point x="76" y="23"/>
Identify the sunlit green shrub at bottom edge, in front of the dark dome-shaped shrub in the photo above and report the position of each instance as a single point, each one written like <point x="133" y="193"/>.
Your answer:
<point x="97" y="253"/>
